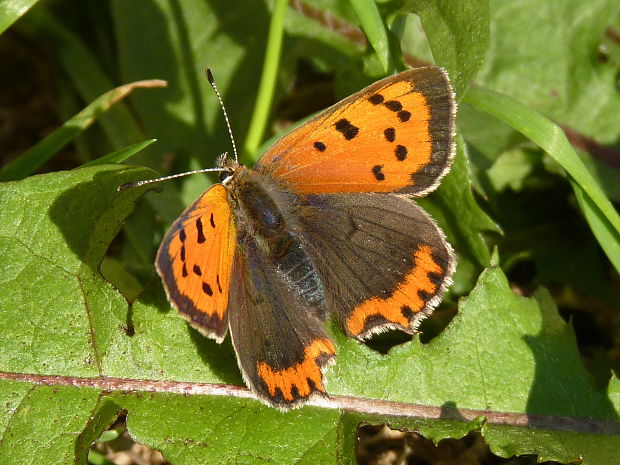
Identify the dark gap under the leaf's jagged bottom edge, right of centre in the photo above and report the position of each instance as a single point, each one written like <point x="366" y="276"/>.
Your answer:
<point x="381" y="445"/>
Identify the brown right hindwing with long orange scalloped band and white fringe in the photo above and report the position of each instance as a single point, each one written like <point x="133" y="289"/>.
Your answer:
<point x="383" y="261"/>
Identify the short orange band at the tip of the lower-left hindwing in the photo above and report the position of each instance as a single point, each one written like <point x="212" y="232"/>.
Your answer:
<point x="299" y="375"/>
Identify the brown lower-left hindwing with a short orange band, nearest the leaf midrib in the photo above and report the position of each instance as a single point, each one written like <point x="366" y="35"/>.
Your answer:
<point x="281" y="347"/>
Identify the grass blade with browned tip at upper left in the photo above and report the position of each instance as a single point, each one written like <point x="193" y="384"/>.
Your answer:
<point x="34" y="157"/>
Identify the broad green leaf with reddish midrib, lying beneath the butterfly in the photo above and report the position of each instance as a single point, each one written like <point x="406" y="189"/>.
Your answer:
<point x="506" y="357"/>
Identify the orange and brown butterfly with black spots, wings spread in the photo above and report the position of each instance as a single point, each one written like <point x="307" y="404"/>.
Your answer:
<point x="323" y="226"/>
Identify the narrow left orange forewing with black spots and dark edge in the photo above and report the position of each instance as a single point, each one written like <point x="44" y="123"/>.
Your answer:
<point x="195" y="261"/>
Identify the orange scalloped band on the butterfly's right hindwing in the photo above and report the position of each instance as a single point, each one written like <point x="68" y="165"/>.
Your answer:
<point x="405" y="301"/>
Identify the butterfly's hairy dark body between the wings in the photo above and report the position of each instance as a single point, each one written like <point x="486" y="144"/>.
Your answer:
<point x="266" y="216"/>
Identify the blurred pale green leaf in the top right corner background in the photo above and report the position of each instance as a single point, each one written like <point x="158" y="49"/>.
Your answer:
<point x="546" y="55"/>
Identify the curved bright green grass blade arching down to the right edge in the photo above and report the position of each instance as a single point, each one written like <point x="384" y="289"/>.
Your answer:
<point x="551" y="138"/>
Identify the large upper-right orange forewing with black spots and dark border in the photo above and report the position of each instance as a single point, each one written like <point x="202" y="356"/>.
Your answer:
<point x="396" y="135"/>
